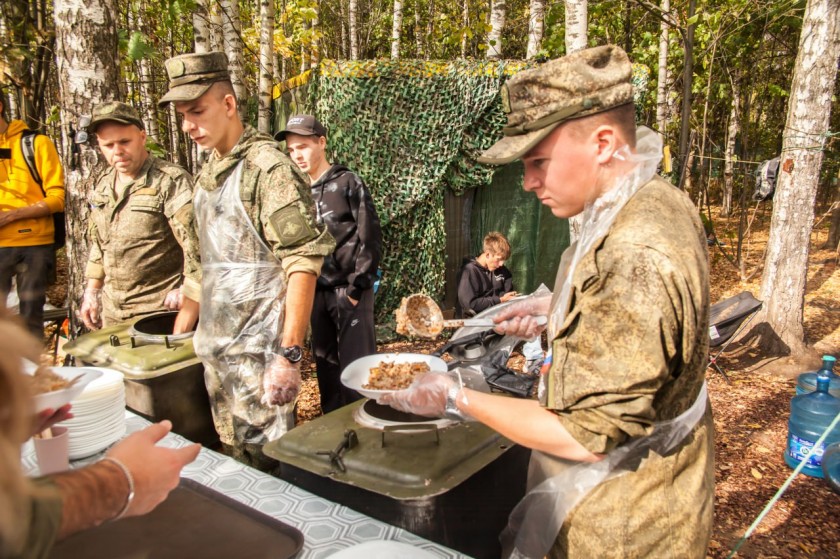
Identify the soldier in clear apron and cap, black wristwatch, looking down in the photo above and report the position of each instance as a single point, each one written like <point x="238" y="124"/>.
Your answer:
<point x="261" y="253"/>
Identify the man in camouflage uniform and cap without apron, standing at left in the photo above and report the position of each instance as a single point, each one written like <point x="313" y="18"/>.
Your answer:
<point x="144" y="248"/>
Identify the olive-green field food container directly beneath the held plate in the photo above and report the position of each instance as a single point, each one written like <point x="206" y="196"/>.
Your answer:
<point x="452" y="483"/>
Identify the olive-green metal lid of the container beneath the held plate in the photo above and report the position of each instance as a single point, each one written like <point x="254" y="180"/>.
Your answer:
<point x="409" y="465"/>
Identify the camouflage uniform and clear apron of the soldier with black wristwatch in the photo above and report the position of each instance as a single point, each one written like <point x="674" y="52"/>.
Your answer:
<point x="242" y="319"/>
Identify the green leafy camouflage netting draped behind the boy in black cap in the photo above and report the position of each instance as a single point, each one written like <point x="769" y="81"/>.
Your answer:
<point x="411" y="129"/>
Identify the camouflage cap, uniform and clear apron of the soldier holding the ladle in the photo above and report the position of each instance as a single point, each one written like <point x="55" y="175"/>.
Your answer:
<point x="629" y="336"/>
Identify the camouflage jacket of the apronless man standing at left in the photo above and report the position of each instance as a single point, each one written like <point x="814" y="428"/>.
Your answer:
<point x="143" y="240"/>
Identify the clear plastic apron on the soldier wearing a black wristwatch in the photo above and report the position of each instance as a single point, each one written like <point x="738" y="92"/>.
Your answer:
<point x="242" y="308"/>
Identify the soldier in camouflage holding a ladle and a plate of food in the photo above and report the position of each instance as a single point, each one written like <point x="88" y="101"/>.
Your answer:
<point x="622" y="434"/>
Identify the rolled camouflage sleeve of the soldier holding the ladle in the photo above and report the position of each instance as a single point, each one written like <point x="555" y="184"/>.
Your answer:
<point x="617" y="353"/>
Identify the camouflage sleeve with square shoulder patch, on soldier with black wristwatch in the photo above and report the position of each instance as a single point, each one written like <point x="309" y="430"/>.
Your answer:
<point x="287" y="214"/>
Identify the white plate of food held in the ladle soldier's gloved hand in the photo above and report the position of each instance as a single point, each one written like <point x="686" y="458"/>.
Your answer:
<point x="375" y="375"/>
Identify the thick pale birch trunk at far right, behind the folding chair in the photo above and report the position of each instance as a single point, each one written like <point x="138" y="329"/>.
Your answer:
<point x="803" y="141"/>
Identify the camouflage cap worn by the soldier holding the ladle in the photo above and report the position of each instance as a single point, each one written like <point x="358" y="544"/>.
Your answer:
<point x="538" y="100"/>
